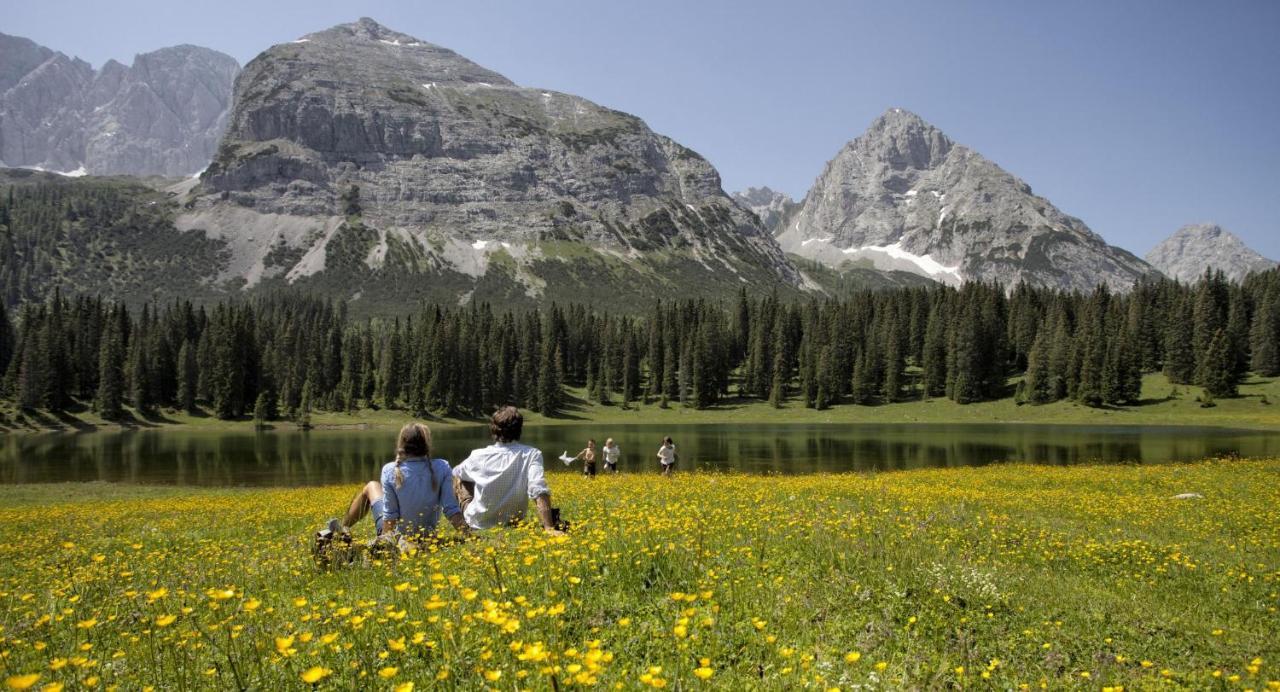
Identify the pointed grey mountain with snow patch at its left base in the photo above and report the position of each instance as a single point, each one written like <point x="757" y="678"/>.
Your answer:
<point x="907" y="198"/>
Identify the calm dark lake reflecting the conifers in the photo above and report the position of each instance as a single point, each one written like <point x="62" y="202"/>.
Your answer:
<point x="295" y="459"/>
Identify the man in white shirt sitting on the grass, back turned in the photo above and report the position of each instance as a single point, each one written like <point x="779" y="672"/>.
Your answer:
<point x="495" y="484"/>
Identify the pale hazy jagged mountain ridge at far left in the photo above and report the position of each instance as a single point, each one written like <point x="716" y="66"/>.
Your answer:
<point x="162" y="116"/>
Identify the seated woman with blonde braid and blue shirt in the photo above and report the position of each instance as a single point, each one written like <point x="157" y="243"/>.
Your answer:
<point x="410" y="497"/>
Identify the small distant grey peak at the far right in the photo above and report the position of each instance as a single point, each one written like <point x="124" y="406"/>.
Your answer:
<point x="1196" y="248"/>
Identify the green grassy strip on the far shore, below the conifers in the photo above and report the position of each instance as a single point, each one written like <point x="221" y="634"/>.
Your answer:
<point x="1258" y="407"/>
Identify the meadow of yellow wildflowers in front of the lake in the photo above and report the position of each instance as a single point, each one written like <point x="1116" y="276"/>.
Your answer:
<point x="998" y="578"/>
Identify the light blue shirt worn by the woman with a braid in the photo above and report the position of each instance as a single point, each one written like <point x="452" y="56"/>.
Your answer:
<point x="427" y="491"/>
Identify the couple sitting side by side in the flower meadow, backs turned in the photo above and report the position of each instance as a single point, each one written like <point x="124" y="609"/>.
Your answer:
<point x="491" y="488"/>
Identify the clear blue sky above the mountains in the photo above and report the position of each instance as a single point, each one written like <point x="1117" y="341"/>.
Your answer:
<point x="1137" y="117"/>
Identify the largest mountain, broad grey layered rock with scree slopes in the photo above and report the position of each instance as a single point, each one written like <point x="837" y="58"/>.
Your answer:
<point x="359" y="157"/>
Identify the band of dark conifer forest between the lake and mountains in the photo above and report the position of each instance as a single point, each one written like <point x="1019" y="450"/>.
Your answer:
<point x="284" y="356"/>
